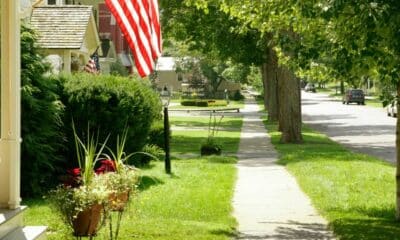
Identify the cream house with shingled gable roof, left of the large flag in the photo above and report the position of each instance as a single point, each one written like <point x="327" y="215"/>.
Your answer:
<point x="68" y="31"/>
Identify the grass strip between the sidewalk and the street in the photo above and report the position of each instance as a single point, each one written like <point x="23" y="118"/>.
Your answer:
<point x="354" y="192"/>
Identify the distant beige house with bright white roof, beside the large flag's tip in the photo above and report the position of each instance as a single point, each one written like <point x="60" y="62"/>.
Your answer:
<point x="166" y="74"/>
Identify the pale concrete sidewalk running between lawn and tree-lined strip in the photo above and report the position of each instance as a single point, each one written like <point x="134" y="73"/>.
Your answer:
<point x="268" y="203"/>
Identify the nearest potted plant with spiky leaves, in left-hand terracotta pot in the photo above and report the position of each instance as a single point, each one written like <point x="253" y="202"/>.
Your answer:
<point x="80" y="200"/>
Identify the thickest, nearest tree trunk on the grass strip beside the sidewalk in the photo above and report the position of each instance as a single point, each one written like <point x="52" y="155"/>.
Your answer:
<point x="289" y="106"/>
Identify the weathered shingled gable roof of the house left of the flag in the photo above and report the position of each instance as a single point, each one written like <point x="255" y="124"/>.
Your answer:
<point x="61" y="27"/>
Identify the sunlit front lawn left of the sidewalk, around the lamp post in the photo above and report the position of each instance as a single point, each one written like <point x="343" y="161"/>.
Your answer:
<point x="192" y="203"/>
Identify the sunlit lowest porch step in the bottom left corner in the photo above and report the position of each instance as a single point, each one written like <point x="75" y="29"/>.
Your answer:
<point x="27" y="233"/>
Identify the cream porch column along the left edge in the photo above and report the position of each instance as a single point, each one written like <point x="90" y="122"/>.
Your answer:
<point x="10" y="105"/>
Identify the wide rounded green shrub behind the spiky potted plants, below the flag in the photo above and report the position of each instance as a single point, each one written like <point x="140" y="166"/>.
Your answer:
<point x="109" y="104"/>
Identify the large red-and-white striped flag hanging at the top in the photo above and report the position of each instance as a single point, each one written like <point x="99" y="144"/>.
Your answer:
<point x="140" y="24"/>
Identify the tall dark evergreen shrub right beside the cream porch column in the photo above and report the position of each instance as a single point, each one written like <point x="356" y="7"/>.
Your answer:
<point x="41" y="122"/>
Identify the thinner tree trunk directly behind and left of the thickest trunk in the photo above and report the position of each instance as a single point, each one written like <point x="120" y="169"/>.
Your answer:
<point x="272" y="80"/>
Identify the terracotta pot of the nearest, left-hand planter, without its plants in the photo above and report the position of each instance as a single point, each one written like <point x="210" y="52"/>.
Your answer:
<point x="86" y="222"/>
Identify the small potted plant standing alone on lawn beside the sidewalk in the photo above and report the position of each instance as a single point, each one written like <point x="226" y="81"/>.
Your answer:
<point x="211" y="145"/>
